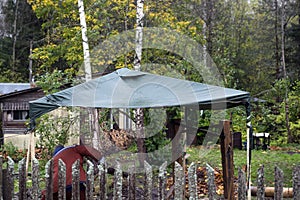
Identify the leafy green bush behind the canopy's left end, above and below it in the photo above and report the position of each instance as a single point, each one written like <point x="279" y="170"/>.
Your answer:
<point x="54" y="128"/>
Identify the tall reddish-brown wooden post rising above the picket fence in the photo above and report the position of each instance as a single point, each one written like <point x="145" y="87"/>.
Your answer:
<point x="227" y="159"/>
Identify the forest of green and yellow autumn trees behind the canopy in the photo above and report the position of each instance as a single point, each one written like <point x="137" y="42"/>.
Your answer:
<point x="255" y="45"/>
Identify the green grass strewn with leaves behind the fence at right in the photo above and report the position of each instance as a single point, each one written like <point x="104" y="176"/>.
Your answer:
<point x="270" y="158"/>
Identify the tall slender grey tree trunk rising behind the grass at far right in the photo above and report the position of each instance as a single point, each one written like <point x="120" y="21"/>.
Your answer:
<point x="286" y="100"/>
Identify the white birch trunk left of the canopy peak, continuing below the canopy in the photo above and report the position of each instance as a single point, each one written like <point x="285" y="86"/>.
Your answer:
<point x="93" y="115"/>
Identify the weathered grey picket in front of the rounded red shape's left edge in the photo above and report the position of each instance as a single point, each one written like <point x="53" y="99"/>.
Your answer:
<point x="61" y="180"/>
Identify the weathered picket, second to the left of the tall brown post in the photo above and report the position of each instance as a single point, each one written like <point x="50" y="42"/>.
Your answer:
<point x="192" y="177"/>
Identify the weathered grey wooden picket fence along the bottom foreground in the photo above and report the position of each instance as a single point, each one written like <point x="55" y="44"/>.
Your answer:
<point x="133" y="189"/>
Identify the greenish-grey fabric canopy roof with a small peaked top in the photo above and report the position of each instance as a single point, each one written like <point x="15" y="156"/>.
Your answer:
<point x="126" y="88"/>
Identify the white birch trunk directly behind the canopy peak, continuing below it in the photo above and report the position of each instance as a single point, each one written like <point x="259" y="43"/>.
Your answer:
<point x="139" y="115"/>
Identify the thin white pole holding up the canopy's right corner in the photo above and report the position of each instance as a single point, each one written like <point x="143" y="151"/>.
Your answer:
<point x="249" y="147"/>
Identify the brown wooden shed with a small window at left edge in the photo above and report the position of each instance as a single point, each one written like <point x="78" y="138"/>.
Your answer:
<point x="14" y="110"/>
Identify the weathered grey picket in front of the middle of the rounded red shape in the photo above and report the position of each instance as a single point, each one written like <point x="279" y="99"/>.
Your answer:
<point x="76" y="180"/>
